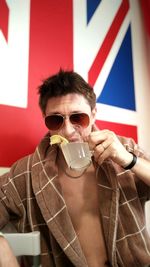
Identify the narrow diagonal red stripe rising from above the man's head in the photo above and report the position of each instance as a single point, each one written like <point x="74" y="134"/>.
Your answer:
<point x="107" y="43"/>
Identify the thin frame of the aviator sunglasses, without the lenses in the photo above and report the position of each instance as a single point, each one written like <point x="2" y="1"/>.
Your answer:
<point x="69" y="116"/>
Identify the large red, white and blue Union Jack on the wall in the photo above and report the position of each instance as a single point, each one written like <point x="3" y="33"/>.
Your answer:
<point x="93" y="37"/>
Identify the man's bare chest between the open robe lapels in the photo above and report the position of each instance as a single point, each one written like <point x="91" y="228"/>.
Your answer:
<point x="83" y="207"/>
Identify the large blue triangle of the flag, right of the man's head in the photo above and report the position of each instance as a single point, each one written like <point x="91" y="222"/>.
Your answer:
<point x="119" y="87"/>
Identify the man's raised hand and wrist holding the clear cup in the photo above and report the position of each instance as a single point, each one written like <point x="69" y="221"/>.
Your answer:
<point x="105" y="144"/>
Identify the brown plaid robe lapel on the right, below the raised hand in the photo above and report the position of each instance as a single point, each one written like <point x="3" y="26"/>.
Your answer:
<point x="109" y="200"/>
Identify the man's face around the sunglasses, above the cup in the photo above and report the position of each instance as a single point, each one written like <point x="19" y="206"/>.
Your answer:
<point x="67" y="105"/>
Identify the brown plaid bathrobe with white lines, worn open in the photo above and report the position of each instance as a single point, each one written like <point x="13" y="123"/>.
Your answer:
<point x="31" y="198"/>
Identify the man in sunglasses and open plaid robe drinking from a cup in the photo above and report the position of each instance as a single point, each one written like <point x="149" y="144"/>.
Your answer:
<point x="93" y="218"/>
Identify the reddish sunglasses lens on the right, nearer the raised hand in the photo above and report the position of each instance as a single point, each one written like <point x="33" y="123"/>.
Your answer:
<point x="81" y="119"/>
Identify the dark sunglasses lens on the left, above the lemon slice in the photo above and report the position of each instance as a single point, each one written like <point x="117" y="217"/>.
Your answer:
<point x="54" y="122"/>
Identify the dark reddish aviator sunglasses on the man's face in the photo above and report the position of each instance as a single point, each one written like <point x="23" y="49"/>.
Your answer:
<point x="56" y="121"/>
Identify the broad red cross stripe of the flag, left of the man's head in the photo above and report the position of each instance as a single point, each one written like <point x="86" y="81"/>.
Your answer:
<point x="51" y="47"/>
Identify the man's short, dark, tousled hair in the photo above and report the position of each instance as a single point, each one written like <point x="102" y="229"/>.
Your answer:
<point x="63" y="83"/>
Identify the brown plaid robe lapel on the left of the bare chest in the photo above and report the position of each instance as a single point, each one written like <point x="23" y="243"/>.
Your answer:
<point x="49" y="197"/>
